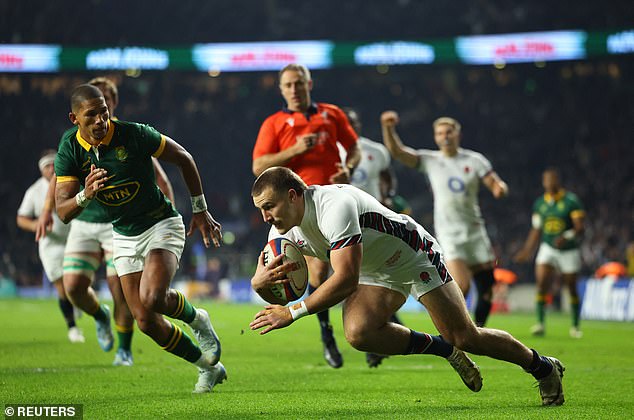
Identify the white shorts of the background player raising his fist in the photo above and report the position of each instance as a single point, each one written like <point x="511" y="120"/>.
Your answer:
<point x="473" y="248"/>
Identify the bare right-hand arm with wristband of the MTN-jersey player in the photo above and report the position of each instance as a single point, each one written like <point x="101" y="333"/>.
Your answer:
<point x="202" y="220"/>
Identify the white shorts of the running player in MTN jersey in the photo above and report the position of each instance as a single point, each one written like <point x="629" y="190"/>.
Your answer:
<point x="130" y="251"/>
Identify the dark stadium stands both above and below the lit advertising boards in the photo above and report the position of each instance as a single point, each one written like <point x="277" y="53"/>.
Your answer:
<point x="576" y="115"/>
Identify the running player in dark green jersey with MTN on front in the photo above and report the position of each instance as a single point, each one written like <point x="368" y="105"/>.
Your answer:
<point x="112" y="161"/>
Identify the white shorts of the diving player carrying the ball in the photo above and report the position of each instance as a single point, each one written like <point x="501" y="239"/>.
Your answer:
<point x="416" y="277"/>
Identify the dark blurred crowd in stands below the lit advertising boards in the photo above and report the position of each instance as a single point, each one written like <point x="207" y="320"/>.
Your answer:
<point x="572" y="115"/>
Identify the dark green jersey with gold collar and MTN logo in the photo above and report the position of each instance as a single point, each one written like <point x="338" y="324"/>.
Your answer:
<point x="131" y="199"/>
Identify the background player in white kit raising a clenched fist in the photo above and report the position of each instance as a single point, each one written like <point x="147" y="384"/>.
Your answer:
<point x="455" y="175"/>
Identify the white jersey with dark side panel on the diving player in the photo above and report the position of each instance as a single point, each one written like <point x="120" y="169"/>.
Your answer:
<point x="337" y="216"/>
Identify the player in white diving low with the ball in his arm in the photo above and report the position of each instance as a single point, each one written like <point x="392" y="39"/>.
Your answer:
<point x="379" y="258"/>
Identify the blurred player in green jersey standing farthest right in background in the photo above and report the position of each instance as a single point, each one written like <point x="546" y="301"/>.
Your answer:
<point x="558" y="219"/>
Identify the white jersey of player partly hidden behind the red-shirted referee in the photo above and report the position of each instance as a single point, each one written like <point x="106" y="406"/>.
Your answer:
<point x="375" y="158"/>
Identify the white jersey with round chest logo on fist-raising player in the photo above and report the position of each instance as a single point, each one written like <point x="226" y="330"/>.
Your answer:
<point x="455" y="183"/>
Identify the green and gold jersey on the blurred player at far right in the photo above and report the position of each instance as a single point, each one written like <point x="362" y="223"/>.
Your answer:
<point x="553" y="215"/>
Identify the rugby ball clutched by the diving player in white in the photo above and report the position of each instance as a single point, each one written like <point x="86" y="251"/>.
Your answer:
<point x="298" y="277"/>
